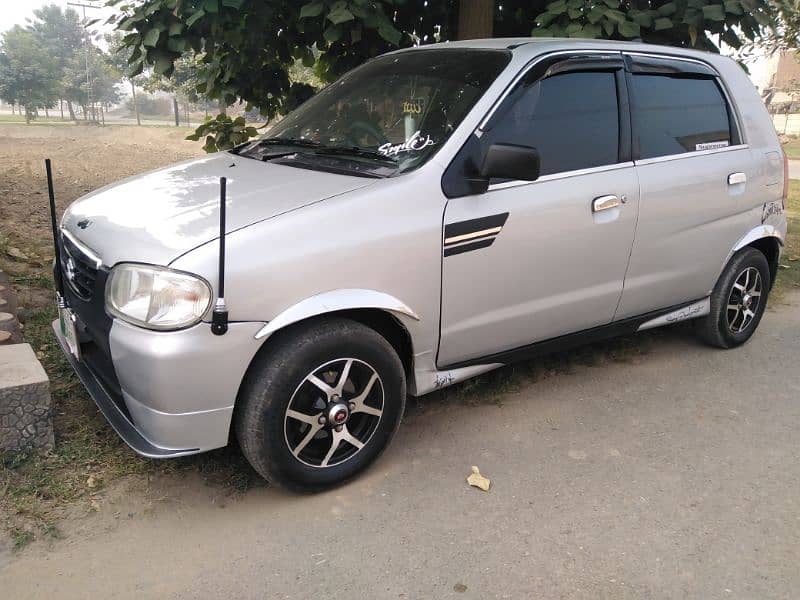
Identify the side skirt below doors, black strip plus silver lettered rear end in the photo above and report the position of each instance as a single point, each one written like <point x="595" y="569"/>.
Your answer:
<point x="657" y="318"/>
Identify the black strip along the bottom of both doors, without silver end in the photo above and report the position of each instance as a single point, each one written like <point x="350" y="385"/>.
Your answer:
<point x="566" y="342"/>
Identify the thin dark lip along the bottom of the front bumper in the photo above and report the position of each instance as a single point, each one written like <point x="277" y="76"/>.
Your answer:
<point x="109" y="404"/>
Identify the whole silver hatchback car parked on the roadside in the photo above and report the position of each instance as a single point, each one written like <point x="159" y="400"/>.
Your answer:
<point x="436" y="213"/>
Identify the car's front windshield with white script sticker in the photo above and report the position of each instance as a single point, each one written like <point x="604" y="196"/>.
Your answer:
<point x="393" y="112"/>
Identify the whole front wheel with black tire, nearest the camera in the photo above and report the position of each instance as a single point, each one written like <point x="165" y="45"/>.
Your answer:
<point x="282" y="375"/>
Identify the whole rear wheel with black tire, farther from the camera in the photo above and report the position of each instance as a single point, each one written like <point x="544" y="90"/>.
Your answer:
<point x="728" y="328"/>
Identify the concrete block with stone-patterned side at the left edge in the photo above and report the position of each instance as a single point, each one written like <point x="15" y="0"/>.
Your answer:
<point x="26" y="414"/>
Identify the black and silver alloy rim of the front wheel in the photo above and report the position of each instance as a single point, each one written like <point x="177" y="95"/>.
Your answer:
<point x="334" y="412"/>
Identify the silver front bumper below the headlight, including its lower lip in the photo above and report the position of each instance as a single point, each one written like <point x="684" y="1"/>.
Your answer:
<point x="176" y="390"/>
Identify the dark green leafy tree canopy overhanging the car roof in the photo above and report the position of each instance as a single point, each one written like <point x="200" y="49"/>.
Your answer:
<point x="246" y="48"/>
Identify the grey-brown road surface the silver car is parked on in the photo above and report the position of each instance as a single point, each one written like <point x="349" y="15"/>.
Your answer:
<point x="675" y="474"/>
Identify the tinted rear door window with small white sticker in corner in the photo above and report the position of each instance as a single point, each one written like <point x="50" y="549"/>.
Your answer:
<point x="674" y="115"/>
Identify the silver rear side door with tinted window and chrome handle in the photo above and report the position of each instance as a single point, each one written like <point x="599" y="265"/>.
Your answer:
<point x="693" y="169"/>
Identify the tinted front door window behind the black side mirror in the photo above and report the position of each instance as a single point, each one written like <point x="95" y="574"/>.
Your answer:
<point x="572" y="119"/>
